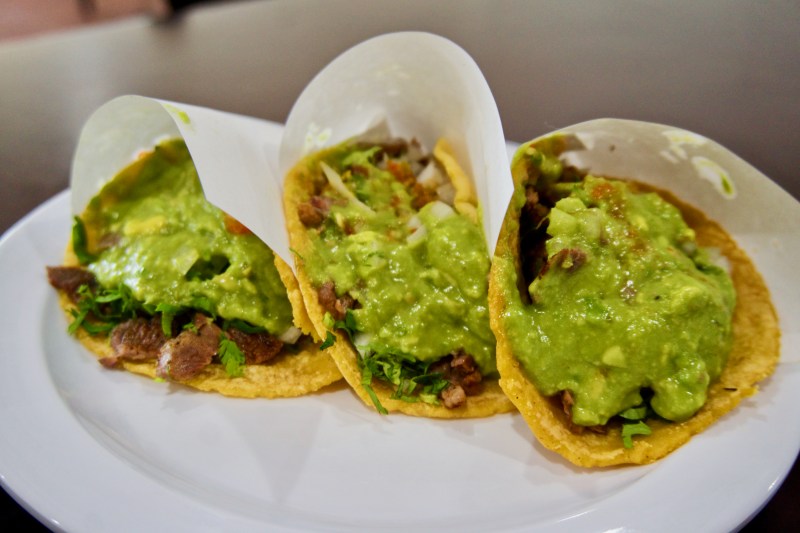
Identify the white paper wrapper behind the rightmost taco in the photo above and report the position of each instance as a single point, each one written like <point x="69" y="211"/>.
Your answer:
<point x="762" y="217"/>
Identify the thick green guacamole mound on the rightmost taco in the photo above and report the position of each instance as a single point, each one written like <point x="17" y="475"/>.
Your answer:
<point x="628" y="301"/>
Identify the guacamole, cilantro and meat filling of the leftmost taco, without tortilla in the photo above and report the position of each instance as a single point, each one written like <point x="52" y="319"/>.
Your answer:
<point x="153" y="250"/>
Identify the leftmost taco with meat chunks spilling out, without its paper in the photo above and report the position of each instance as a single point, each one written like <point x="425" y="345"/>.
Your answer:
<point x="159" y="282"/>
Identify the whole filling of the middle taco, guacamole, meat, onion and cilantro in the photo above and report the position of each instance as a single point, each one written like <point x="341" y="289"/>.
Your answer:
<point x="411" y="270"/>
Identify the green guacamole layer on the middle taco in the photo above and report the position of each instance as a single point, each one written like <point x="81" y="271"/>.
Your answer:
<point x="420" y="276"/>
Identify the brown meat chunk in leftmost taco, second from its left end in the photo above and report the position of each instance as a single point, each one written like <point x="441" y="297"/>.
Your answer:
<point x="138" y="339"/>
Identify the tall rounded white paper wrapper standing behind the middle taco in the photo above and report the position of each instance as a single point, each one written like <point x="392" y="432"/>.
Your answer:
<point x="425" y="87"/>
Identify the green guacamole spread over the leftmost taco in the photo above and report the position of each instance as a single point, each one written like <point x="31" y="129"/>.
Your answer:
<point x="168" y="245"/>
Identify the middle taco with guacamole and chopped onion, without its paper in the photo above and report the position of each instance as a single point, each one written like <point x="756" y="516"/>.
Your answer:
<point x="393" y="265"/>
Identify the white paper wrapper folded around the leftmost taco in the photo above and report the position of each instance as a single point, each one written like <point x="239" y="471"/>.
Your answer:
<point x="236" y="157"/>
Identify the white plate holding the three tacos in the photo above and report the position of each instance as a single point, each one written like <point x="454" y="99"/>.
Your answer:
<point x="90" y="449"/>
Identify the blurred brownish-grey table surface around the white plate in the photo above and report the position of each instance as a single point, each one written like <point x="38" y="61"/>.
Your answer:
<point x="729" y="71"/>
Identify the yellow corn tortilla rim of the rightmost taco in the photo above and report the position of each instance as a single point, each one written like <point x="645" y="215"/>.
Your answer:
<point x="755" y="352"/>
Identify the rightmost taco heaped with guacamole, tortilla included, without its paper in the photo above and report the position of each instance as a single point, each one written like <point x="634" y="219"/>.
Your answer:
<point x="626" y="320"/>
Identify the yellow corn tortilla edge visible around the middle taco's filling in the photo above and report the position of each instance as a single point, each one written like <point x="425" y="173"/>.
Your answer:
<point x="298" y="188"/>
